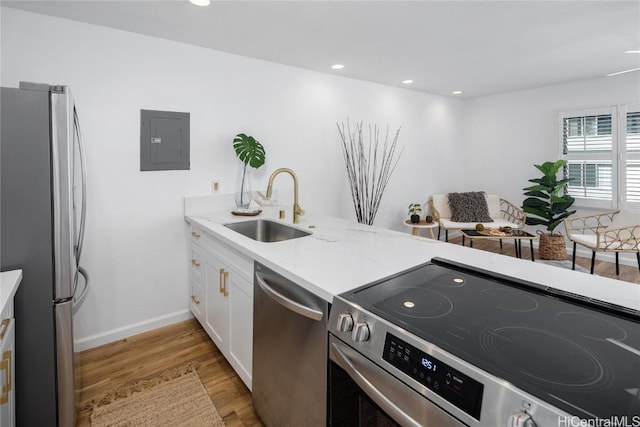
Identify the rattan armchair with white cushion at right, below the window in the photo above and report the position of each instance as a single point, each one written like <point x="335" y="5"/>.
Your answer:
<point x="613" y="231"/>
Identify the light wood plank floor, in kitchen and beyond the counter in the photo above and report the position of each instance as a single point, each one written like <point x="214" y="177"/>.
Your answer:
<point x="146" y="355"/>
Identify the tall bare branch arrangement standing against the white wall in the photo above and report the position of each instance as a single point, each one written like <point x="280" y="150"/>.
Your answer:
<point x="369" y="167"/>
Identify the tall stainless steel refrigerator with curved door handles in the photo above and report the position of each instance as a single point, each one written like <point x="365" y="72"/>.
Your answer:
<point x="42" y="215"/>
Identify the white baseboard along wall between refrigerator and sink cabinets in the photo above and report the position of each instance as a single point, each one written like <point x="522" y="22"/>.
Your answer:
<point x="130" y="330"/>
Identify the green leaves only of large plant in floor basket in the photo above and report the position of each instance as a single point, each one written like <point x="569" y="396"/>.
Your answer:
<point x="546" y="200"/>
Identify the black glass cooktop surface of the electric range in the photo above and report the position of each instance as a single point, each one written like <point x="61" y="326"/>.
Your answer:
<point x="579" y="356"/>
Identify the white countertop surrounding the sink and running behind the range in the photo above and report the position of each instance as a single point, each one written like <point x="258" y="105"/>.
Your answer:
<point x="341" y="255"/>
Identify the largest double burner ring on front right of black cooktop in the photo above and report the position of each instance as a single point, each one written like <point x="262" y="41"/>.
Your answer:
<point x="532" y="358"/>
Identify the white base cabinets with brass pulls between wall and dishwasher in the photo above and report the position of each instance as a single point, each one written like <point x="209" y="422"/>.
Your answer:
<point x="222" y="298"/>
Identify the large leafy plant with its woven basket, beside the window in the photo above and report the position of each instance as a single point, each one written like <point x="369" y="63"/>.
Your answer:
<point x="548" y="204"/>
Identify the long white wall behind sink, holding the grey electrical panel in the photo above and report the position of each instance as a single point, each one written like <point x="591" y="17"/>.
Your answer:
<point x="135" y="247"/>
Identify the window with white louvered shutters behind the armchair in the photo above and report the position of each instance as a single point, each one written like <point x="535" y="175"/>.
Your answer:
<point x="602" y="149"/>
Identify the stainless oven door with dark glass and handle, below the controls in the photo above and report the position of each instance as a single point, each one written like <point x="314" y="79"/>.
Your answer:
<point x="363" y="394"/>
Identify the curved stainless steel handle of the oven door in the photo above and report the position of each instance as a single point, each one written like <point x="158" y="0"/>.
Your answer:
<point x="370" y="389"/>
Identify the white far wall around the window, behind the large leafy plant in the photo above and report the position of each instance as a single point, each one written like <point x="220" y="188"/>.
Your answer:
<point x="506" y="134"/>
